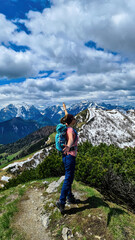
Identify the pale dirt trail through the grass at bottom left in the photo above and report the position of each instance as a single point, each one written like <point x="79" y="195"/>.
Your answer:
<point x="28" y="220"/>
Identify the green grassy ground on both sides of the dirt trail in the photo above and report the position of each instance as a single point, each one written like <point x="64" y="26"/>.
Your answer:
<point x="93" y="215"/>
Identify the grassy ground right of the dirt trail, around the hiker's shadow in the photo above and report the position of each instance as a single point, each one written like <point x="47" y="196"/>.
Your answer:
<point x="115" y="223"/>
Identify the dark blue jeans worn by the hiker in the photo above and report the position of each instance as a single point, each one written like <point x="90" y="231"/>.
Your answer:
<point x="69" y="164"/>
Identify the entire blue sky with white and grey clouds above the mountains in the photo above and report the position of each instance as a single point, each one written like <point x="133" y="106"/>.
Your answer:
<point x="59" y="50"/>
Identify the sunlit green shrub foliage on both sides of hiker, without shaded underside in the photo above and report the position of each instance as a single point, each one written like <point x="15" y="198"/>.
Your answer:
<point x="92" y="163"/>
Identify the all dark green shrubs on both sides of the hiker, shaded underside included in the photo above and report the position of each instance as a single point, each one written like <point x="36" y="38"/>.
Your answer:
<point x="108" y="168"/>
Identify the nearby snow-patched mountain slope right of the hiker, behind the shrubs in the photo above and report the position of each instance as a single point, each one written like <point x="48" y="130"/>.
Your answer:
<point x="107" y="126"/>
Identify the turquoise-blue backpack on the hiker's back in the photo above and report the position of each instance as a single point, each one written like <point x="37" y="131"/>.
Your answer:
<point x="60" y="138"/>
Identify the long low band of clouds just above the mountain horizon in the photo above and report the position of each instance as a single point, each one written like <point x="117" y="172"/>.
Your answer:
<point x="110" y="86"/>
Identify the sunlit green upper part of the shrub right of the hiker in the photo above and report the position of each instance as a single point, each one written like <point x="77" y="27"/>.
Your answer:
<point x="93" y="162"/>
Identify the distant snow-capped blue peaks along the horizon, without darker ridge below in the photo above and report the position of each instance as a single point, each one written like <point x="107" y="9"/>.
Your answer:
<point x="51" y="115"/>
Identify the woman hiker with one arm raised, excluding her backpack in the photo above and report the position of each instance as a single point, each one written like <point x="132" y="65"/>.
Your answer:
<point x="68" y="157"/>
